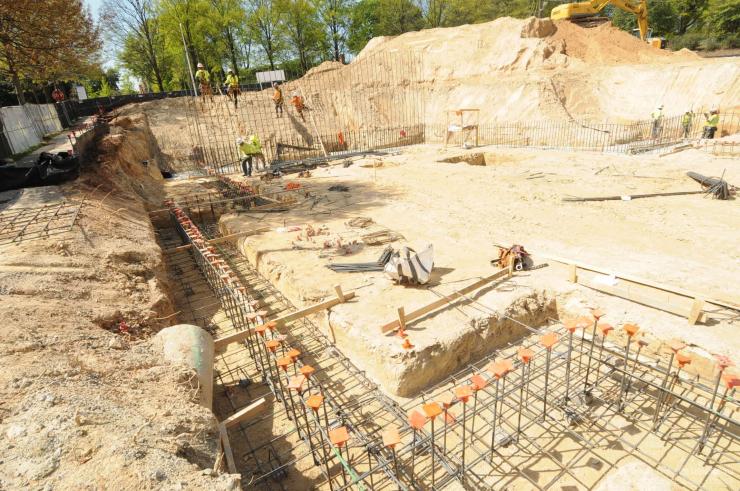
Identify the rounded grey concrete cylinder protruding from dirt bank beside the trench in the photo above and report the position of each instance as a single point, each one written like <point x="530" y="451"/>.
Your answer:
<point x="189" y="345"/>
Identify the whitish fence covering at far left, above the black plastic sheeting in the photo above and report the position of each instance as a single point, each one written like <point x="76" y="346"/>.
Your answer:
<point x="24" y="126"/>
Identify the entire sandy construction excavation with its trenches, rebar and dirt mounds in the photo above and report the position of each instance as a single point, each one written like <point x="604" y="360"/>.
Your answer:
<point x="470" y="258"/>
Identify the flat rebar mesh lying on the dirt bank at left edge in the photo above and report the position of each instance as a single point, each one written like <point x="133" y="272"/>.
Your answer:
<point x="22" y="224"/>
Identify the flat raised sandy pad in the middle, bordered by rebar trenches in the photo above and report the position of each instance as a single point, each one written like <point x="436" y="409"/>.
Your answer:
<point x="516" y="198"/>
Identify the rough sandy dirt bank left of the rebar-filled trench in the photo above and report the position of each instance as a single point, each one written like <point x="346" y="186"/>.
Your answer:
<point x="87" y="404"/>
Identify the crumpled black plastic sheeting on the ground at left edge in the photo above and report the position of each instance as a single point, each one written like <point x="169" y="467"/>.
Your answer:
<point x="48" y="170"/>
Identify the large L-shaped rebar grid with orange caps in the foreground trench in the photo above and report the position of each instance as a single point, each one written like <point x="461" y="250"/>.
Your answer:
<point x="523" y="437"/>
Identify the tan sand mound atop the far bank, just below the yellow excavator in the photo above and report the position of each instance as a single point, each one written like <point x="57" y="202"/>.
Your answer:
<point x="516" y="44"/>
